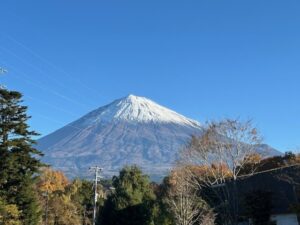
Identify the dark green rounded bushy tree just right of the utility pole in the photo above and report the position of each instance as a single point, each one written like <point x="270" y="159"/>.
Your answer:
<point x="132" y="200"/>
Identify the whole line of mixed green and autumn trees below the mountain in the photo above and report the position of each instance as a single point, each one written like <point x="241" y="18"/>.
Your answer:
<point x="201" y="189"/>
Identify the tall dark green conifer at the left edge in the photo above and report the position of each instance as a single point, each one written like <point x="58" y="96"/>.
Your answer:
<point x="19" y="161"/>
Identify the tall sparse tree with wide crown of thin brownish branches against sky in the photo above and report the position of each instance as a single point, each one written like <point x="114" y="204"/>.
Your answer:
<point x="223" y="150"/>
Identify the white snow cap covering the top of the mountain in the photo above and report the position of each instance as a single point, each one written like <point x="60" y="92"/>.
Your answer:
<point x="139" y="109"/>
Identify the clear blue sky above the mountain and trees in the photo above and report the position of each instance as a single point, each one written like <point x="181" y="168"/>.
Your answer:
<point x="205" y="59"/>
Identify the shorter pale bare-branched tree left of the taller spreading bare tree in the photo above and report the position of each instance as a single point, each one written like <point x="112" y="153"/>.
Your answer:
<point x="184" y="201"/>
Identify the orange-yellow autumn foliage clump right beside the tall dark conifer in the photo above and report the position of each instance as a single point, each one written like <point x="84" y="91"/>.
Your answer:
<point x="51" y="181"/>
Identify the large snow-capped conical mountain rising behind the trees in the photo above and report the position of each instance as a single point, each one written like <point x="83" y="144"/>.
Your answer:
<point x="130" y="130"/>
